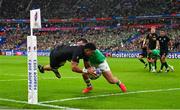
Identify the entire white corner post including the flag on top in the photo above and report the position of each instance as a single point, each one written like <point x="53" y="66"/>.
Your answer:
<point x="35" y="22"/>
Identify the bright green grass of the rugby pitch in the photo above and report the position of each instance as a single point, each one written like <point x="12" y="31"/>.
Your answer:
<point x="13" y="85"/>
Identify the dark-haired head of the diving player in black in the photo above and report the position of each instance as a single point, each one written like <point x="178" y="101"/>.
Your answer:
<point x="89" y="48"/>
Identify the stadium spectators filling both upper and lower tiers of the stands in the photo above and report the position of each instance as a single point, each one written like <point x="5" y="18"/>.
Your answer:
<point x="113" y="38"/>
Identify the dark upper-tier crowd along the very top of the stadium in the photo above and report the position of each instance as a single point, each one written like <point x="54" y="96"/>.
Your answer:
<point x="87" y="8"/>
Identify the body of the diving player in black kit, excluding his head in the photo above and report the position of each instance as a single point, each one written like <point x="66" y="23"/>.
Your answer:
<point x="60" y="54"/>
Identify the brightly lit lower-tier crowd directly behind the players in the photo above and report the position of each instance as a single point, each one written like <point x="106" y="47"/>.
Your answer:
<point x="106" y="40"/>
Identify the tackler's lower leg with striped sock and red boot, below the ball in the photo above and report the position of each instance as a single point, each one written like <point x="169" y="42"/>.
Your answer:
<point x="88" y="83"/>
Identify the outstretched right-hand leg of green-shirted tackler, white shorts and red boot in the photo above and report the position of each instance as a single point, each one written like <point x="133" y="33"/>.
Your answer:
<point x="109" y="76"/>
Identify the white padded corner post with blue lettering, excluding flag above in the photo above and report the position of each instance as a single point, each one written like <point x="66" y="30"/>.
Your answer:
<point x="32" y="70"/>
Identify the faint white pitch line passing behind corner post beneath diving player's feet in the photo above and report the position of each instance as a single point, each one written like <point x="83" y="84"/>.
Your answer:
<point x="24" y="79"/>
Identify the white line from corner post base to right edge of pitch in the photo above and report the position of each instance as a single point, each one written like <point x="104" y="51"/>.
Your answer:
<point x="116" y="94"/>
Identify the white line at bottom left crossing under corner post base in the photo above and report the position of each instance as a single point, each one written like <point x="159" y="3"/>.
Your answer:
<point x="39" y="104"/>
